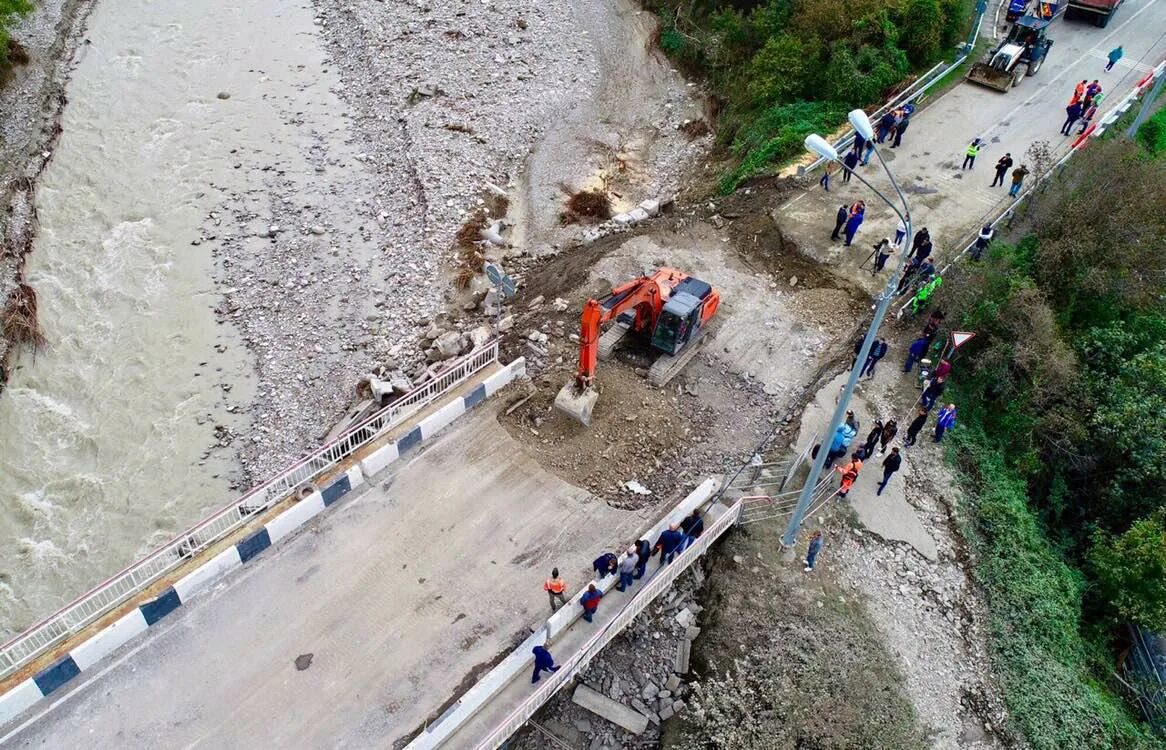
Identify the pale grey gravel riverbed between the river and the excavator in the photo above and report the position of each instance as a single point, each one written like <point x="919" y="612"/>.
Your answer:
<point x="334" y="278"/>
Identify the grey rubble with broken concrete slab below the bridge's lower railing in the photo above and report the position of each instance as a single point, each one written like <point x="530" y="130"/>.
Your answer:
<point x="647" y="671"/>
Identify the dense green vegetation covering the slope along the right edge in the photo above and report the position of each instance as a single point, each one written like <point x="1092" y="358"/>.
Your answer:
<point x="1063" y="395"/>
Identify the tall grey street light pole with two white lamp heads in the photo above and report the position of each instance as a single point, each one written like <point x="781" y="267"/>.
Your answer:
<point x="819" y="145"/>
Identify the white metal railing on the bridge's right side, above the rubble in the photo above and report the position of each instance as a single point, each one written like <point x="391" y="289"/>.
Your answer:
<point x="581" y="658"/>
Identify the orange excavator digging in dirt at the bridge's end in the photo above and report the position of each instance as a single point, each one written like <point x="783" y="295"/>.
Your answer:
<point x="669" y="311"/>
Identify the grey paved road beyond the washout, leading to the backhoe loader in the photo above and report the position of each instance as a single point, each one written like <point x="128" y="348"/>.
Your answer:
<point x="953" y="202"/>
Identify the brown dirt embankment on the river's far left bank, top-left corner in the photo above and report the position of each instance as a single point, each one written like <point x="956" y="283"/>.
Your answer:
<point x="31" y="102"/>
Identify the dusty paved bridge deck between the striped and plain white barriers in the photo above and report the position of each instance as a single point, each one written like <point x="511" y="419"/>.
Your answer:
<point x="398" y="595"/>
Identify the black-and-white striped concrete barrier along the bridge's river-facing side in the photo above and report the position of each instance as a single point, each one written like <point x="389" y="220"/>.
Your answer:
<point x="89" y="654"/>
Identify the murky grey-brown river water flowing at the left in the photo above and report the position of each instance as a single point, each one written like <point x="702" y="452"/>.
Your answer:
<point x="175" y="109"/>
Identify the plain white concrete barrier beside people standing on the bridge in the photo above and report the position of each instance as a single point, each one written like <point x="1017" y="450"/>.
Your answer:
<point x="522" y="661"/>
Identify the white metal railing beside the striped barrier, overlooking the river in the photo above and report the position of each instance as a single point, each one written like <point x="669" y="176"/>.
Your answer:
<point x="135" y="579"/>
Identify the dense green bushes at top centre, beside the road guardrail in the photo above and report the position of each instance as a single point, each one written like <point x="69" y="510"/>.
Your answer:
<point x="783" y="69"/>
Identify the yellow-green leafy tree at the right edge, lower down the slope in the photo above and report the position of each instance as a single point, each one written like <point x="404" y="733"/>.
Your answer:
<point x="1132" y="572"/>
